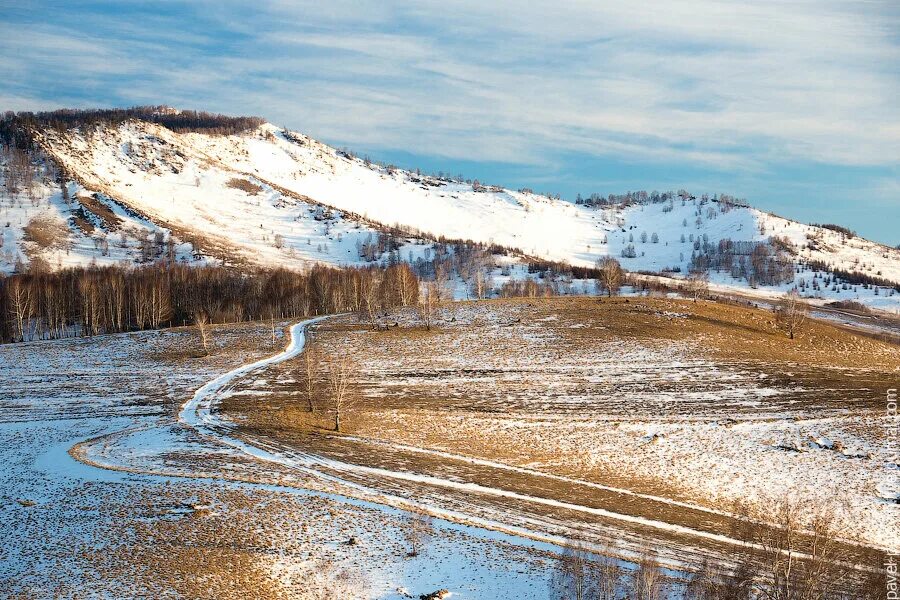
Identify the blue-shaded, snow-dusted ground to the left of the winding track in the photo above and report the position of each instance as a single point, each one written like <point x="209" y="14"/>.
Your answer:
<point x="173" y="512"/>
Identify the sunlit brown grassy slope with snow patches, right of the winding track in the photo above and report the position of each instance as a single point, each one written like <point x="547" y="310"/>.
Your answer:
<point x="695" y="405"/>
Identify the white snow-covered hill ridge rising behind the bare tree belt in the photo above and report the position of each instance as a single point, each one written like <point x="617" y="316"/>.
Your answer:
<point x="273" y="197"/>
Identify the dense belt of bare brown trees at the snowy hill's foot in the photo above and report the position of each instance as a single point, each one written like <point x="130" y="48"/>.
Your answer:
<point x="86" y="301"/>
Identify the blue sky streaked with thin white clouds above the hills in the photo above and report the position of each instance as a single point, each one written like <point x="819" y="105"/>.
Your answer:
<point x="793" y="105"/>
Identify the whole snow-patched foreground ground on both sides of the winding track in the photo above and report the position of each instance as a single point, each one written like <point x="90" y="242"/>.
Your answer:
<point x="517" y="425"/>
